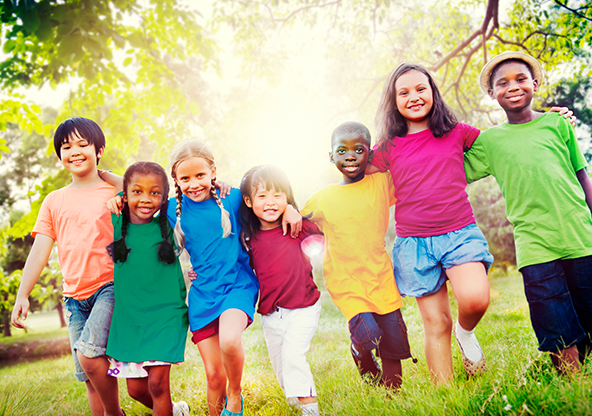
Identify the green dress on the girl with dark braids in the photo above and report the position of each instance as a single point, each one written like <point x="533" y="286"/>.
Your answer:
<point x="149" y="320"/>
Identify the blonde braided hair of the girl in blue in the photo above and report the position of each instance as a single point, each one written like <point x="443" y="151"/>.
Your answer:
<point x="186" y="150"/>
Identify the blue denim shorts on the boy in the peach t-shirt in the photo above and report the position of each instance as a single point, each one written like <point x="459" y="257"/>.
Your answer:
<point x="89" y="321"/>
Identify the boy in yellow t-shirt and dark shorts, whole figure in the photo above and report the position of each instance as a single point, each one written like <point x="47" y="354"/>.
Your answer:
<point x="354" y="217"/>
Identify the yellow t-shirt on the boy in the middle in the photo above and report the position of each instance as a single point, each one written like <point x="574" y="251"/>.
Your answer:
<point x="357" y="269"/>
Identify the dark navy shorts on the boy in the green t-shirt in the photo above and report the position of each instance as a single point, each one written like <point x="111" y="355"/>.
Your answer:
<point x="559" y="295"/>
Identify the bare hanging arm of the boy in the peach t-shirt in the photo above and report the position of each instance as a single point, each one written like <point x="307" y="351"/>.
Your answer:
<point x="36" y="261"/>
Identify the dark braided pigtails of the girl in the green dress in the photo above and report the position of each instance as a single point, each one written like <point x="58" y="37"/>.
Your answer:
<point x="165" y="251"/>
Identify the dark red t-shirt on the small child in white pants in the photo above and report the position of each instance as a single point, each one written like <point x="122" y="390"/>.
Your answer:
<point x="284" y="272"/>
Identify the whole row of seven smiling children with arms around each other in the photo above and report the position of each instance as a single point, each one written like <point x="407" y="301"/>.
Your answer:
<point x="240" y="252"/>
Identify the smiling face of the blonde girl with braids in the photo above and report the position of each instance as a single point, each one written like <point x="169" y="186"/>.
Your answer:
<point x="194" y="176"/>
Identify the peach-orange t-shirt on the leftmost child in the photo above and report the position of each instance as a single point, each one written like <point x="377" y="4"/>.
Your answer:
<point x="78" y="220"/>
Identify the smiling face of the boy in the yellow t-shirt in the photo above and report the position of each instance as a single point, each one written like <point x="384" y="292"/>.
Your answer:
<point x="350" y="153"/>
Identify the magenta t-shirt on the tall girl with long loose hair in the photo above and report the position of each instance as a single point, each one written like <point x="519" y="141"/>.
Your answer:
<point x="429" y="178"/>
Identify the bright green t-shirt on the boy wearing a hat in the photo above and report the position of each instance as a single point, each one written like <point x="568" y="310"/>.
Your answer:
<point x="535" y="165"/>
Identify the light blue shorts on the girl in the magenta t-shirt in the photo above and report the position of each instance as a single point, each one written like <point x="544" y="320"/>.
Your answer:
<point x="420" y="263"/>
